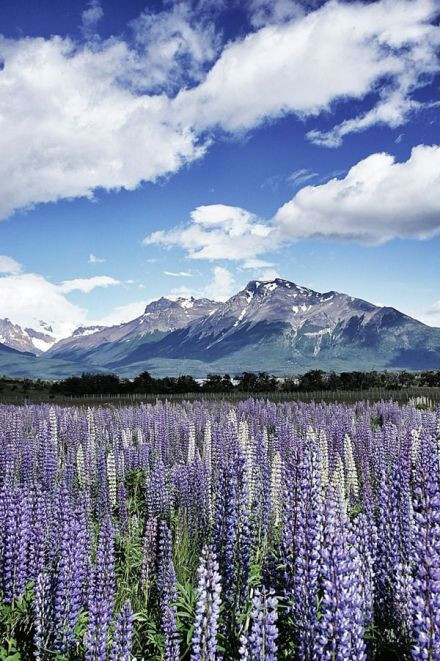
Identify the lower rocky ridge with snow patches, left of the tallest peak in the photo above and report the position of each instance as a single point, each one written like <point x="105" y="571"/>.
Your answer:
<point x="106" y="345"/>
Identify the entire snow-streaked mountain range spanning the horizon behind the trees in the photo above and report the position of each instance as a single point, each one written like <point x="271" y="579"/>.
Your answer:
<point x="276" y="326"/>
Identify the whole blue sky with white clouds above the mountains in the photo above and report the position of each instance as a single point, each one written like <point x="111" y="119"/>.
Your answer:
<point x="184" y="148"/>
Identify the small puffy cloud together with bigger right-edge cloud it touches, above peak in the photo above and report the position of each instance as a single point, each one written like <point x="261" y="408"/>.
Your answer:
<point x="378" y="199"/>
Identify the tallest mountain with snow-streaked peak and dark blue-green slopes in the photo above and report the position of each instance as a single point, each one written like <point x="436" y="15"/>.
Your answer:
<point x="282" y="327"/>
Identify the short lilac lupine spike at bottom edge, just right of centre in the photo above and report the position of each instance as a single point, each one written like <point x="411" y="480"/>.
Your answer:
<point x="259" y="642"/>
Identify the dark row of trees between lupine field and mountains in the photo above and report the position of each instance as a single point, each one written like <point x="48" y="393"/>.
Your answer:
<point x="312" y="381"/>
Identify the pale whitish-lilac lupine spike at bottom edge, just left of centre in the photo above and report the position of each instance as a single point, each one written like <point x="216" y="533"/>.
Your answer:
<point x="204" y="641"/>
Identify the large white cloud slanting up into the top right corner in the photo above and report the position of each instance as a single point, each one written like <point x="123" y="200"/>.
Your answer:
<point x="340" y="51"/>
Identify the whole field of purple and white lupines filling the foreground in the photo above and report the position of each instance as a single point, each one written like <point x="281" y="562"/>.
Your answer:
<point x="205" y="530"/>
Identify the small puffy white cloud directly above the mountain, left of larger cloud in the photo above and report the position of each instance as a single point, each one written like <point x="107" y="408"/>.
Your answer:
<point x="217" y="231"/>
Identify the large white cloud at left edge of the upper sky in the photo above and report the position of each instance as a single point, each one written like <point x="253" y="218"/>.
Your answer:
<point x="71" y="123"/>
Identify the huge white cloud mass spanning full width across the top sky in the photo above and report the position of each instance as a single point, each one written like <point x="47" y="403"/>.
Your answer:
<point x="109" y="114"/>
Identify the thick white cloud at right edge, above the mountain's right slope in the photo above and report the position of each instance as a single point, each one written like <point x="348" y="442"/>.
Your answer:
<point x="379" y="199"/>
